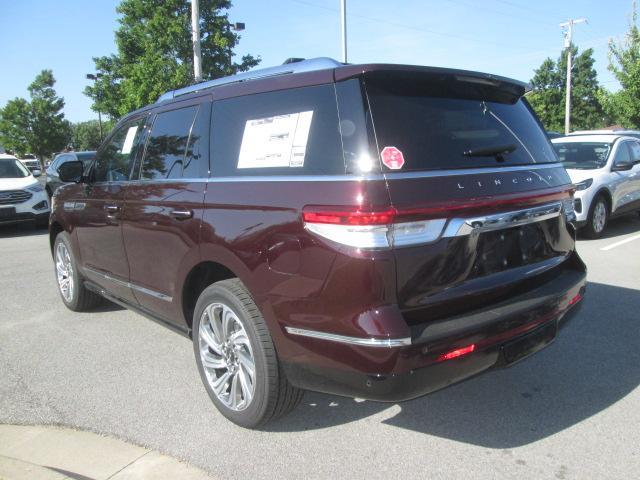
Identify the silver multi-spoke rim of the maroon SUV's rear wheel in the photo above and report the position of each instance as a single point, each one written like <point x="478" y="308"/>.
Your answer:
<point x="227" y="356"/>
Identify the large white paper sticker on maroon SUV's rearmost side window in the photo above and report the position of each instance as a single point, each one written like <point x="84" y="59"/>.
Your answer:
<point x="279" y="141"/>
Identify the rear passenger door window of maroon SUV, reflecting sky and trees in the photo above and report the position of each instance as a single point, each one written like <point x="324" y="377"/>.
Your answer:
<point x="165" y="152"/>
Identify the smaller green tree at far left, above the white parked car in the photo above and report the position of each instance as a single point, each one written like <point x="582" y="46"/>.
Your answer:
<point x="39" y="126"/>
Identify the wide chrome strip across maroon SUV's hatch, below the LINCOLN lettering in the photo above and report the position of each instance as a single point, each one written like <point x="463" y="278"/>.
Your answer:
<point x="459" y="227"/>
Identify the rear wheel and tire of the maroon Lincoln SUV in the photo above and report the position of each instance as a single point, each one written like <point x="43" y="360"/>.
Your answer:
<point x="247" y="402"/>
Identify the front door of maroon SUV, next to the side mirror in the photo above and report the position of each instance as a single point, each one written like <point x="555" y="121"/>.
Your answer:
<point x="99" y="208"/>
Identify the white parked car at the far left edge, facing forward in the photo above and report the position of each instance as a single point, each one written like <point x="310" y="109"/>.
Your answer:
<point x="22" y="197"/>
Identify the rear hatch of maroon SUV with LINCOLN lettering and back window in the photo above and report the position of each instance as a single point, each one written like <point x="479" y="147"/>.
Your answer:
<point x="467" y="161"/>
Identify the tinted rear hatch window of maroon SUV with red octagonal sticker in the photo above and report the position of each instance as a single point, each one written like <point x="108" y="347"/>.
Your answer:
<point x="436" y="126"/>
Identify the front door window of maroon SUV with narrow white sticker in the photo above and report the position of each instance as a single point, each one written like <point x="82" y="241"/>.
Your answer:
<point x="113" y="162"/>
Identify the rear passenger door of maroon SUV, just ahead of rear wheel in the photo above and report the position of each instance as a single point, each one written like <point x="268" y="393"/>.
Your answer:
<point x="164" y="206"/>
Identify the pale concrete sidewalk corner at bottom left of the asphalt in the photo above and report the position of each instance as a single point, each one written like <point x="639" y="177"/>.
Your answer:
<point x="54" y="453"/>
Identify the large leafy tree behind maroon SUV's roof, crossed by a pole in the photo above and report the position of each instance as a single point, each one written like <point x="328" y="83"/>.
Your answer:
<point x="155" y="53"/>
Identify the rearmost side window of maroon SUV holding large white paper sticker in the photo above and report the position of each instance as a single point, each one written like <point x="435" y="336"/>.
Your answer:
<point x="289" y="132"/>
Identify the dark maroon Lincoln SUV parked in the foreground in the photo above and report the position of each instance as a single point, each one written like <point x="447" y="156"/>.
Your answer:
<point x="375" y="231"/>
